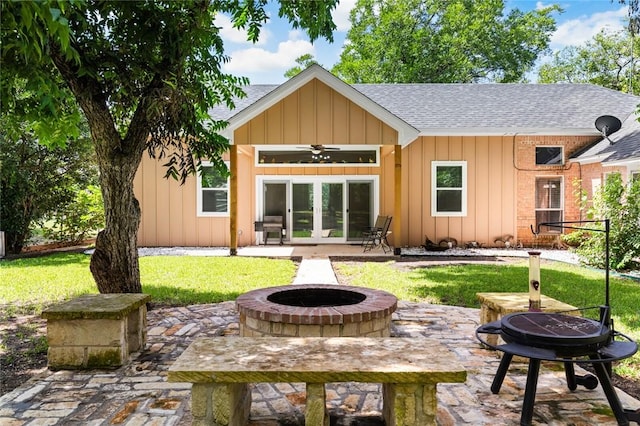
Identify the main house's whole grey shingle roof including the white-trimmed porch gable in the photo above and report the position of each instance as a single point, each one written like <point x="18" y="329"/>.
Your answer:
<point x="458" y="109"/>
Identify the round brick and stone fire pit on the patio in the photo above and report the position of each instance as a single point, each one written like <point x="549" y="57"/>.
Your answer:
<point x="316" y="311"/>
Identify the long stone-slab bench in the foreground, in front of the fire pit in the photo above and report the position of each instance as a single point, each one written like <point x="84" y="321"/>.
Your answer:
<point x="408" y="368"/>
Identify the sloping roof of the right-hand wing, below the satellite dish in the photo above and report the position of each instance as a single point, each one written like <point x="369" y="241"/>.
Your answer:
<point x="624" y="149"/>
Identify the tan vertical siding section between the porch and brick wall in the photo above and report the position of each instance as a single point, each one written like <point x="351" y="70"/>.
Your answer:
<point x="491" y="186"/>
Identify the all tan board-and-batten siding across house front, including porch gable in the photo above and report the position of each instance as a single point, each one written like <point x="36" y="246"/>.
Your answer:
<point x="317" y="114"/>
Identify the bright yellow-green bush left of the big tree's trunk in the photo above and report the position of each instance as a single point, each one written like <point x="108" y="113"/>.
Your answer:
<point x="79" y="219"/>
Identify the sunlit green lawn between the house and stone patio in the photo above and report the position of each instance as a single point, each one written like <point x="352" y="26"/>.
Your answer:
<point x="28" y="285"/>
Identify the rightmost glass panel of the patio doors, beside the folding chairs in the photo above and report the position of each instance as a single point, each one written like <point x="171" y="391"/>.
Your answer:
<point x="359" y="208"/>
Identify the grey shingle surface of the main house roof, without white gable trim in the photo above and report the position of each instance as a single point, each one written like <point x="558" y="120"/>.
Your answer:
<point x="514" y="107"/>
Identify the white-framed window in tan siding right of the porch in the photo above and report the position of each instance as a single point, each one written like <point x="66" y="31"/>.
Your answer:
<point x="449" y="192"/>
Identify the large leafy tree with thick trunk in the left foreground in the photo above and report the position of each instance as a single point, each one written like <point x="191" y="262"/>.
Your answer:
<point x="145" y="74"/>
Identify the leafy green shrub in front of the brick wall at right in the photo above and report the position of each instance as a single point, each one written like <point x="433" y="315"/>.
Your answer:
<point x="620" y="203"/>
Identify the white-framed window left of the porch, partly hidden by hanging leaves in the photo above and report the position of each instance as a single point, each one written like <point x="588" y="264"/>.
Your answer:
<point x="213" y="192"/>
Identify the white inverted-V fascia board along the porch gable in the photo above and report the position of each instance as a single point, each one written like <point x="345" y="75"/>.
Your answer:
<point x="406" y="132"/>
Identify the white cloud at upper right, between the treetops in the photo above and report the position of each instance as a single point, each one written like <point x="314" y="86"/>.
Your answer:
<point x="582" y="29"/>
